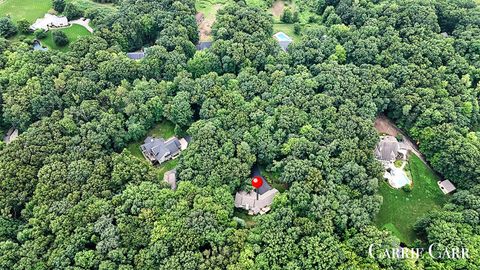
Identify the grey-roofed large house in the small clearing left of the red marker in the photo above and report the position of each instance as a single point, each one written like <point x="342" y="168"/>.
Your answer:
<point x="158" y="151"/>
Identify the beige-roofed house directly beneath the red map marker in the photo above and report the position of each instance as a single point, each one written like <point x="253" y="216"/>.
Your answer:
<point x="256" y="204"/>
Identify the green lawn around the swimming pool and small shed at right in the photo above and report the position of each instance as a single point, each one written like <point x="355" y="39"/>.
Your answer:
<point x="400" y="210"/>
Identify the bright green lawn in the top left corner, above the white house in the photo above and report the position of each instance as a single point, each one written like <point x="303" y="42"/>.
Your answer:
<point x="25" y="9"/>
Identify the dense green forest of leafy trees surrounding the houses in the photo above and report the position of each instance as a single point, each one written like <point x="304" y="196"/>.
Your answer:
<point x="72" y="197"/>
